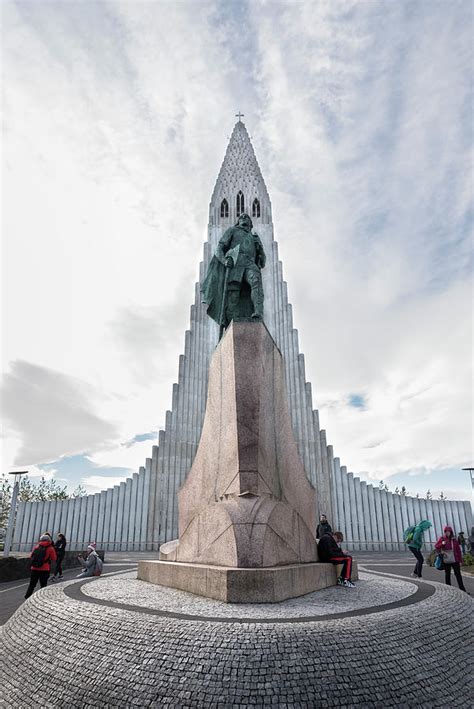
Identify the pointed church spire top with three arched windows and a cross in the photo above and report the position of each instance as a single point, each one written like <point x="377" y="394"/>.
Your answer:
<point x="240" y="186"/>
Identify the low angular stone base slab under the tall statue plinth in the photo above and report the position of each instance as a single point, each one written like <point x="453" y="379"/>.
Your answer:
<point x="234" y="585"/>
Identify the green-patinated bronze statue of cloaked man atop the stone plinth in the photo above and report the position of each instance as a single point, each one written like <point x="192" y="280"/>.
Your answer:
<point x="233" y="288"/>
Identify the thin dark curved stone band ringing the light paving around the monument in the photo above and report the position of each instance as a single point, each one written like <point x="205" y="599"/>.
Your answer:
<point x="423" y="592"/>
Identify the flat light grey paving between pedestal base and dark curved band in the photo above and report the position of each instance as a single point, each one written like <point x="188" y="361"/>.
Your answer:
<point x="369" y="591"/>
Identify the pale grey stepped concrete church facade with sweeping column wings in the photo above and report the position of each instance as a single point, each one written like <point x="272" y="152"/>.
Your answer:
<point x="141" y="513"/>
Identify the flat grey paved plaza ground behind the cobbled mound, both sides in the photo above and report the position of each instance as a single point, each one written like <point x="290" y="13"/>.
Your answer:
<point x="398" y="563"/>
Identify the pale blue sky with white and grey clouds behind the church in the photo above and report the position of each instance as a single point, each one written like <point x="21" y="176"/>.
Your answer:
<point x="116" y="120"/>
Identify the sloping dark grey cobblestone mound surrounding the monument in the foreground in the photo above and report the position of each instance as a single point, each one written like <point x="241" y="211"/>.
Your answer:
<point x="60" y="652"/>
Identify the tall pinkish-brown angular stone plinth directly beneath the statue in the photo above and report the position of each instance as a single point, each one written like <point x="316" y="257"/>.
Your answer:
<point x="247" y="501"/>
